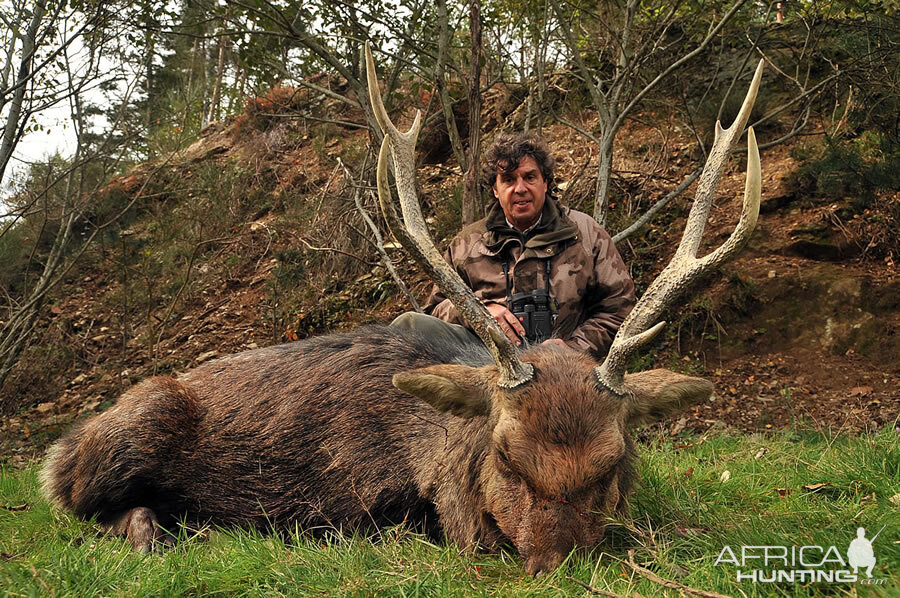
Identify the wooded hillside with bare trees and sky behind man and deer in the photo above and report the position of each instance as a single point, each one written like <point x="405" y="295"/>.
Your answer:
<point x="220" y="185"/>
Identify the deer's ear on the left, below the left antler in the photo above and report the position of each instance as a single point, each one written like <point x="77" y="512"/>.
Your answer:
<point x="457" y="389"/>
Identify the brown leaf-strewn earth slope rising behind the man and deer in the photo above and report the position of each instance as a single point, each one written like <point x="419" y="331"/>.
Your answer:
<point x="250" y="236"/>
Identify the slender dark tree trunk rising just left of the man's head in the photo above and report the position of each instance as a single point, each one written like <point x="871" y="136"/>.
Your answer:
<point x="472" y="208"/>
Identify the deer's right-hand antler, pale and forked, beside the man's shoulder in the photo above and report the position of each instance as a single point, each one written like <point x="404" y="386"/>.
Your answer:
<point x="686" y="267"/>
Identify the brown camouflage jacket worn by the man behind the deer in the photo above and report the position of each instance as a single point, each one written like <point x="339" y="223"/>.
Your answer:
<point x="588" y="278"/>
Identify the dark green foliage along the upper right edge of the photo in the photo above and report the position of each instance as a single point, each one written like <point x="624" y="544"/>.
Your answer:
<point x="858" y="165"/>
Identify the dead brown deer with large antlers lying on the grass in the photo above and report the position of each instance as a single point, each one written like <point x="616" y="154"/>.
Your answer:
<point x="487" y="445"/>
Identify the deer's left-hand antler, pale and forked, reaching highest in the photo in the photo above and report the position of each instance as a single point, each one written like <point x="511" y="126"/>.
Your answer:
<point x="414" y="237"/>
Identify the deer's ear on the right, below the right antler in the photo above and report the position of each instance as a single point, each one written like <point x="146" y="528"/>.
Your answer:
<point x="656" y="394"/>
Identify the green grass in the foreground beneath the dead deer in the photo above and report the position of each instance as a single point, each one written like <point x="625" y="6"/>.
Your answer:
<point x="790" y="489"/>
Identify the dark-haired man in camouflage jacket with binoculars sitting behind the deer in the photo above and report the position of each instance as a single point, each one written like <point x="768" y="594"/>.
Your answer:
<point x="529" y="243"/>
